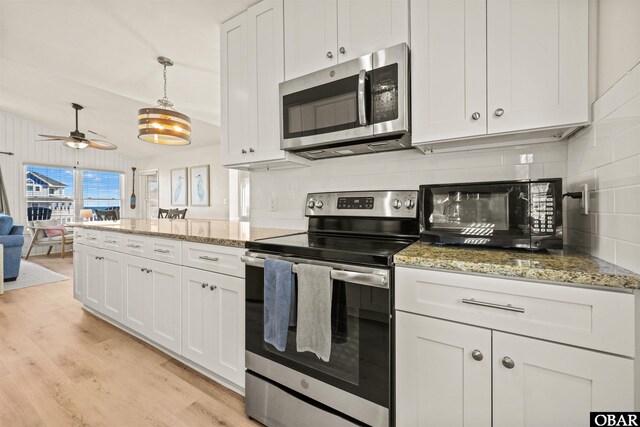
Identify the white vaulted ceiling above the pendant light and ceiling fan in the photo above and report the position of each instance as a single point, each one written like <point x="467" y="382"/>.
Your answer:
<point x="102" y="55"/>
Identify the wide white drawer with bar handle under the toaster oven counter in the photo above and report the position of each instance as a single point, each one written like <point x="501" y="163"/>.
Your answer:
<point x="590" y="318"/>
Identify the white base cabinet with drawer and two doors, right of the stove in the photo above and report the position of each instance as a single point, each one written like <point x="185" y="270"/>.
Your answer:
<point x="451" y="373"/>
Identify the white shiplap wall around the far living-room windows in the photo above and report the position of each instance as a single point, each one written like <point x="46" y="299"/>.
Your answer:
<point x="19" y="136"/>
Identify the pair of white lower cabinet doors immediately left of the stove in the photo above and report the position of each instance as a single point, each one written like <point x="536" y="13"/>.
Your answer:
<point x="213" y="322"/>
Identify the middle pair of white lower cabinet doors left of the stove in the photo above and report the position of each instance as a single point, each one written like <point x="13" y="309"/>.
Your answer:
<point x="152" y="300"/>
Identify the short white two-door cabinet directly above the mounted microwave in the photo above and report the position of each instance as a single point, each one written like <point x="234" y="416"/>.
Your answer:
<point x="321" y="33"/>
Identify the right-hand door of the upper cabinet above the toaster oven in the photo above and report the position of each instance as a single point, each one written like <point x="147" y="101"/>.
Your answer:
<point x="537" y="64"/>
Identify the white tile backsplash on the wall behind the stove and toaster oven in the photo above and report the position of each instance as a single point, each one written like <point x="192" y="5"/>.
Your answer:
<point x="395" y="171"/>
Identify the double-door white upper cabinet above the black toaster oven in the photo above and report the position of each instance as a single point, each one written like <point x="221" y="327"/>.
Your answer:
<point x="490" y="67"/>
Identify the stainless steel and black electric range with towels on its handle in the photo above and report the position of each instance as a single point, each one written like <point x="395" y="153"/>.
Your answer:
<point x="357" y="234"/>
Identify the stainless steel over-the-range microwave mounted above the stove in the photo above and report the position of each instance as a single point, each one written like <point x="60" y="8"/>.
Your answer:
<point x="357" y="107"/>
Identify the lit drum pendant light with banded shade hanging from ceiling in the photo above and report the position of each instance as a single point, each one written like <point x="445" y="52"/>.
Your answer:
<point x="162" y="124"/>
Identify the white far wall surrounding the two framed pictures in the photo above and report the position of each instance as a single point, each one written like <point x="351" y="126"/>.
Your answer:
<point x="218" y="175"/>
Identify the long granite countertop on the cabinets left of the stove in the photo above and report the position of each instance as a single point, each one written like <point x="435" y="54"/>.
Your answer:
<point x="225" y="233"/>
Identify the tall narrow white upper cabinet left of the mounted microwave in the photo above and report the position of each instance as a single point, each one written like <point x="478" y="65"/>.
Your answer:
<point x="252" y="66"/>
